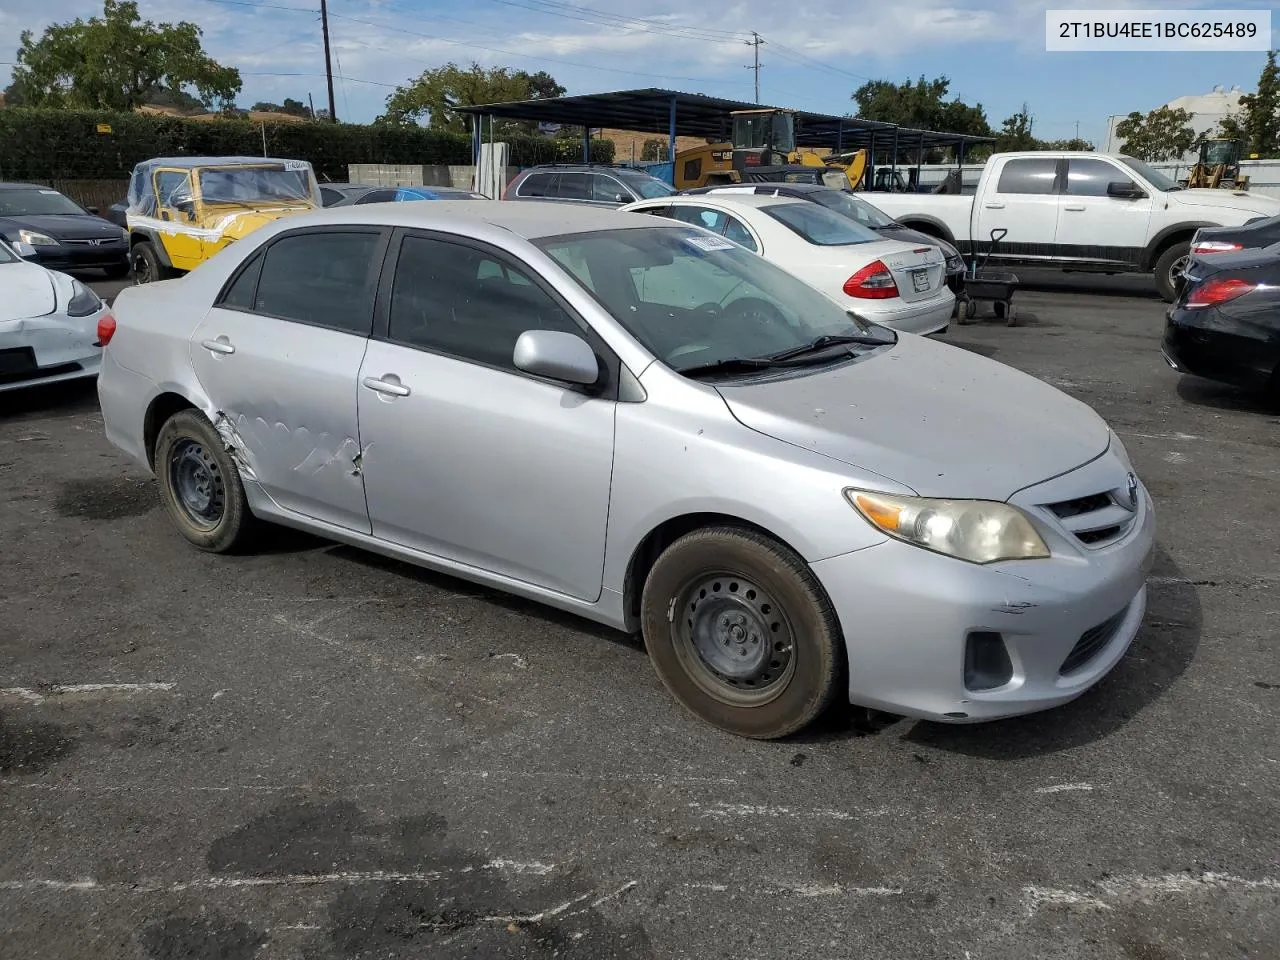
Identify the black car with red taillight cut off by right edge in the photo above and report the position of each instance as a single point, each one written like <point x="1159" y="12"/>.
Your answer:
<point x="1226" y="324"/>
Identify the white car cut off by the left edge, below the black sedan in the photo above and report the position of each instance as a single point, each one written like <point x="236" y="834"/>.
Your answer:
<point x="49" y="323"/>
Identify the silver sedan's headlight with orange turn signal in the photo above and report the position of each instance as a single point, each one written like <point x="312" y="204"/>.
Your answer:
<point x="980" y="532"/>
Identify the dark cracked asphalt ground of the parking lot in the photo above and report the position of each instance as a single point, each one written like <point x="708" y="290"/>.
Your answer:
<point x="313" y="753"/>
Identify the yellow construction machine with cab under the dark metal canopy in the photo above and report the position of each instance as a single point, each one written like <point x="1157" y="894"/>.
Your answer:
<point x="764" y="148"/>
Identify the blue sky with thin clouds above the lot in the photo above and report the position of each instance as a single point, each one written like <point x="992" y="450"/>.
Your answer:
<point x="816" y="52"/>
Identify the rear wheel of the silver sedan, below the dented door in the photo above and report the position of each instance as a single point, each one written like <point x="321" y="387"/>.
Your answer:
<point x="189" y="451"/>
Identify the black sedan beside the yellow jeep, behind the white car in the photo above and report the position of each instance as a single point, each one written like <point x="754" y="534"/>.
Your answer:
<point x="65" y="235"/>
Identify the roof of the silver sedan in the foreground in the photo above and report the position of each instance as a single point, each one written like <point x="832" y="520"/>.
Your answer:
<point x="531" y="220"/>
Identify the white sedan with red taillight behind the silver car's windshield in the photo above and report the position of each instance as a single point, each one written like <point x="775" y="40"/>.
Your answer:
<point x="889" y="282"/>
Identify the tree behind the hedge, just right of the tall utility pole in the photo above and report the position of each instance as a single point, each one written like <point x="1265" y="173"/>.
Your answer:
<point x="433" y="95"/>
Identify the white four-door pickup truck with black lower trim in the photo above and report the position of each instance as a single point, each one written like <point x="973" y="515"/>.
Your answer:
<point x="1099" y="213"/>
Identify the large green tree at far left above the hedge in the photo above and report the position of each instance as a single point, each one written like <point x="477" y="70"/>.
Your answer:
<point x="118" y="62"/>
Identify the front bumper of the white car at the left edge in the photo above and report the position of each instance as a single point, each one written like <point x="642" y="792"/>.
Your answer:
<point x="48" y="349"/>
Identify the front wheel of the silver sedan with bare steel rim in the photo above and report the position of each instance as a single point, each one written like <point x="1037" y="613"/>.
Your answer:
<point x="771" y="651"/>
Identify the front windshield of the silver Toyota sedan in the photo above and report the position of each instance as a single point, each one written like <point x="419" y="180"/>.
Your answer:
<point x="693" y="299"/>
